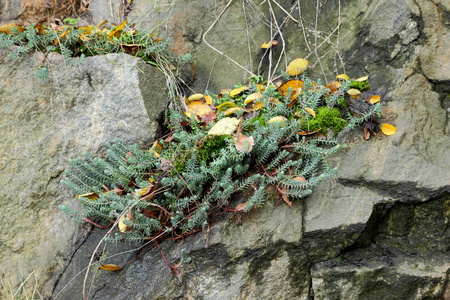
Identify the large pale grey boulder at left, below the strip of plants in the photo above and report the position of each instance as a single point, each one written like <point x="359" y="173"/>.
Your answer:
<point x="43" y="125"/>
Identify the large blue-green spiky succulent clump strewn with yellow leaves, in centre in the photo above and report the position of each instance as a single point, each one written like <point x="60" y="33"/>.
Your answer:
<point x="243" y="140"/>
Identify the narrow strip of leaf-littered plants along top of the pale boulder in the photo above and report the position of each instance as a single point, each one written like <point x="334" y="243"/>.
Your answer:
<point x="71" y="41"/>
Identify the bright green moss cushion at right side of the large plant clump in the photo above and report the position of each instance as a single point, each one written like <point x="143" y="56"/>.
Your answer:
<point x="326" y="118"/>
